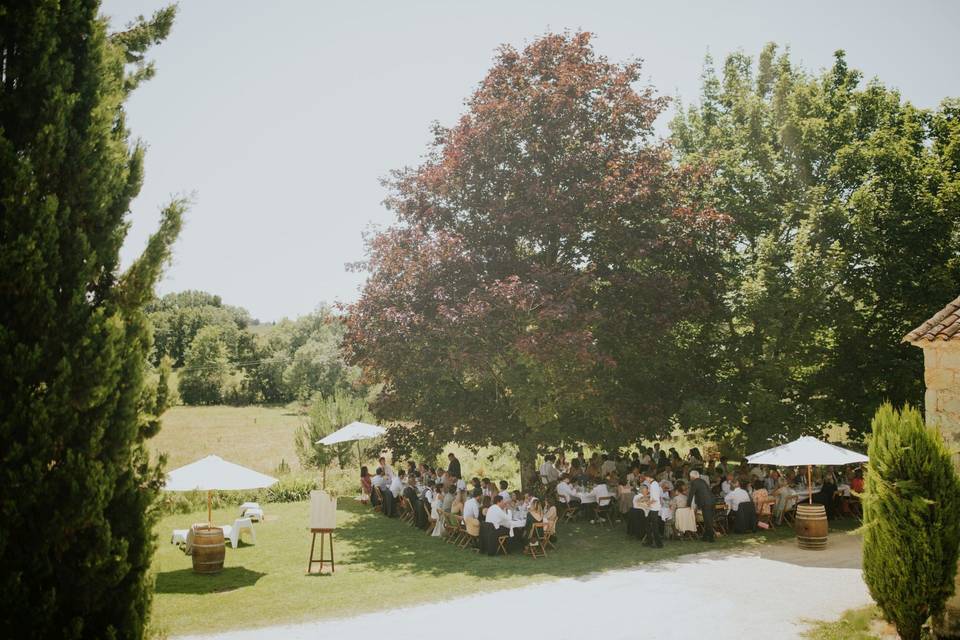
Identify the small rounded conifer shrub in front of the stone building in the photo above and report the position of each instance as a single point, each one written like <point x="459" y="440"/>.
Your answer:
<point x="911" y="512"/>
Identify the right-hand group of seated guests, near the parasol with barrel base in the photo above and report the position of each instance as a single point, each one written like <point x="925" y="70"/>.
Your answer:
<point x="650" y="485"/>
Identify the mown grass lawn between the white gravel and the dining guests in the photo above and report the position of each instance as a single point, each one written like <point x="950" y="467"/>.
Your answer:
<point x="381" y="564"/>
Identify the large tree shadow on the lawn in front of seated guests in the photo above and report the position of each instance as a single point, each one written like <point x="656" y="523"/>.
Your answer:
<point x="383" y="544"/>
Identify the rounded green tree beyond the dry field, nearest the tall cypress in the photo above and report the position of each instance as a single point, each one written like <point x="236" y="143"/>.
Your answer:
<point x="206" y="370"/>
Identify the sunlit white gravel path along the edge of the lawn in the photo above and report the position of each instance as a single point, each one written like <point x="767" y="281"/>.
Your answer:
<point x="765" y="593"/>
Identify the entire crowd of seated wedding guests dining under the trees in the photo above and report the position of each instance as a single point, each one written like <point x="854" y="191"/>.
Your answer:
<point x="658" y="493"/>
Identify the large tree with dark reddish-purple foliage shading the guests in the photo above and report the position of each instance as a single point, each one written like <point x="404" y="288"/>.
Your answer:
<point x="546" y="282"/>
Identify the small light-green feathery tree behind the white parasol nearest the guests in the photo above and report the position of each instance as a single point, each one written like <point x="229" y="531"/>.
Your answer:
<point x="326" y="415"/>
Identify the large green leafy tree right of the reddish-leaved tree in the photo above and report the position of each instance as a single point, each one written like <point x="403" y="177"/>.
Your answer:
<point x="842" y="201"/>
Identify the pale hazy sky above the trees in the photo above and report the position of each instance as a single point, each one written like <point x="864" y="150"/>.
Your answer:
<point x="280" y="118"/>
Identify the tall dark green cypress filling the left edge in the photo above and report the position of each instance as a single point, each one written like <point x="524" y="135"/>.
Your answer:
<point x="75" y="526"/>
